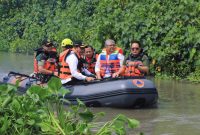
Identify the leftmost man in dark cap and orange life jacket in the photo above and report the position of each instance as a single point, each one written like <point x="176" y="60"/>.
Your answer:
<point x="45" y="61"/>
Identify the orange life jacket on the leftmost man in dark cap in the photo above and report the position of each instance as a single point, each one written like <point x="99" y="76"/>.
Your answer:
<point x="50" y="63"/>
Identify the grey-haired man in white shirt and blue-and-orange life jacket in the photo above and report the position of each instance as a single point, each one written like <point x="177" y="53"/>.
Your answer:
<point x="109" y="61"/>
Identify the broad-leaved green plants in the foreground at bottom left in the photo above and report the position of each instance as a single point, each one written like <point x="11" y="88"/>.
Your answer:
<point x="41" y="111"/>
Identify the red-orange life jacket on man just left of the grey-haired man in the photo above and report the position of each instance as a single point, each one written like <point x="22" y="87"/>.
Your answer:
<point x="90" y="65"/>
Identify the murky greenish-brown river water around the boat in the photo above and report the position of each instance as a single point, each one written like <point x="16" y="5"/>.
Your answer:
<point x="178" y="111"/>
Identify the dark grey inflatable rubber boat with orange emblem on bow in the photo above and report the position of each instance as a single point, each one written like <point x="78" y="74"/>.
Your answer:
<point x="119" y="92"/>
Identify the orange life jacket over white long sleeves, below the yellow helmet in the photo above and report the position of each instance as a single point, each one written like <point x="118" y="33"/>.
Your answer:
<point x="64" y="71"/>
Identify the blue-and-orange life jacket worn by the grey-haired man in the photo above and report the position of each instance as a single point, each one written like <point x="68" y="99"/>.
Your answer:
<point x="110" y="65"/>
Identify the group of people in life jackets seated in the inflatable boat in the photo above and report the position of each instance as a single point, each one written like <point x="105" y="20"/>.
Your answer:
<point x="79" y="62"/>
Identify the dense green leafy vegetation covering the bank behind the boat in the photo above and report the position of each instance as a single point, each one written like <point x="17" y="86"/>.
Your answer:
<point x="168" y="30"/>
